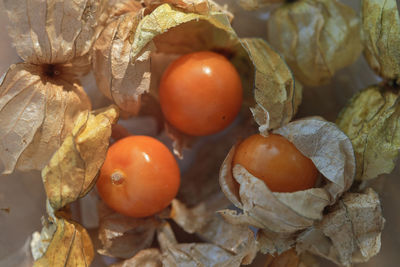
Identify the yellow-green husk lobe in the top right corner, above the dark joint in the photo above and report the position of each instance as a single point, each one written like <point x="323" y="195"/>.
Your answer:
<point x="381" y="31"/>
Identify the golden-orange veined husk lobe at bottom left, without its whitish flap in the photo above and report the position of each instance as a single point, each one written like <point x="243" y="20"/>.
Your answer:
<point x="70" y="245"/>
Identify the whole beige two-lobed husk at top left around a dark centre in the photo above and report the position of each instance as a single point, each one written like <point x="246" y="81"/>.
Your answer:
<point x="41" y="98"/>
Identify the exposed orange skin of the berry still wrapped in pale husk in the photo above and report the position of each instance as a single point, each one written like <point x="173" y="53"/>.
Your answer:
<point x="277" y="162"/>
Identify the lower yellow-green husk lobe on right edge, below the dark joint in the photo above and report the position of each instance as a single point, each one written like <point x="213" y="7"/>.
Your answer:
<point x="371" y="120"/>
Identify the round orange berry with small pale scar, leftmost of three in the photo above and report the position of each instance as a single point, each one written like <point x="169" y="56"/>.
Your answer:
<point x="151" y="179"/>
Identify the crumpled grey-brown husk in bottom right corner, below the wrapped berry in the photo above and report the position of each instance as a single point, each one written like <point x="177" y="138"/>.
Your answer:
<point x="350" y="232"/>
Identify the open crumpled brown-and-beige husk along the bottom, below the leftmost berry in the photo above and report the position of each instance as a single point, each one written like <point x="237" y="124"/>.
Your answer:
<point x="199" y="237"/>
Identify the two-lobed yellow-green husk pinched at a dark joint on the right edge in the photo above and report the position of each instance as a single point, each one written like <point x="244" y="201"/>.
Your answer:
<point x="371" y="117"/>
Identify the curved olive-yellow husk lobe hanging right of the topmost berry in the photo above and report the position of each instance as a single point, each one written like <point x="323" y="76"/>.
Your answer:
<point x="274" y="84"/>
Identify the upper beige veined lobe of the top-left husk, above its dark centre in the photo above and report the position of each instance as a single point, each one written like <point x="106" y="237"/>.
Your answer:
<point x="53" y="32"/>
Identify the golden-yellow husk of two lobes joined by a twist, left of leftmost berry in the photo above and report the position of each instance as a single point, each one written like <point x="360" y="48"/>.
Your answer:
<point x="69" y="175"/>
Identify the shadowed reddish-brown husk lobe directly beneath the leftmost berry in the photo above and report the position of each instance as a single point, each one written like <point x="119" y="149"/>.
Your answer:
<point x="122" y="236"/>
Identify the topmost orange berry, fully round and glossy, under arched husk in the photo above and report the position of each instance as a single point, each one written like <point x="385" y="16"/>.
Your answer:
<point x="201" y="93"/>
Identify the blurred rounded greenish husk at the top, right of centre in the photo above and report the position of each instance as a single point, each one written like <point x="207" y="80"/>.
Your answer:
<point x="316" y="38"/>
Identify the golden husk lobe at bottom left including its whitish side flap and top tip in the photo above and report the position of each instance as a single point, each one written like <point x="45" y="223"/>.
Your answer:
<point x="61" y="243"/>
